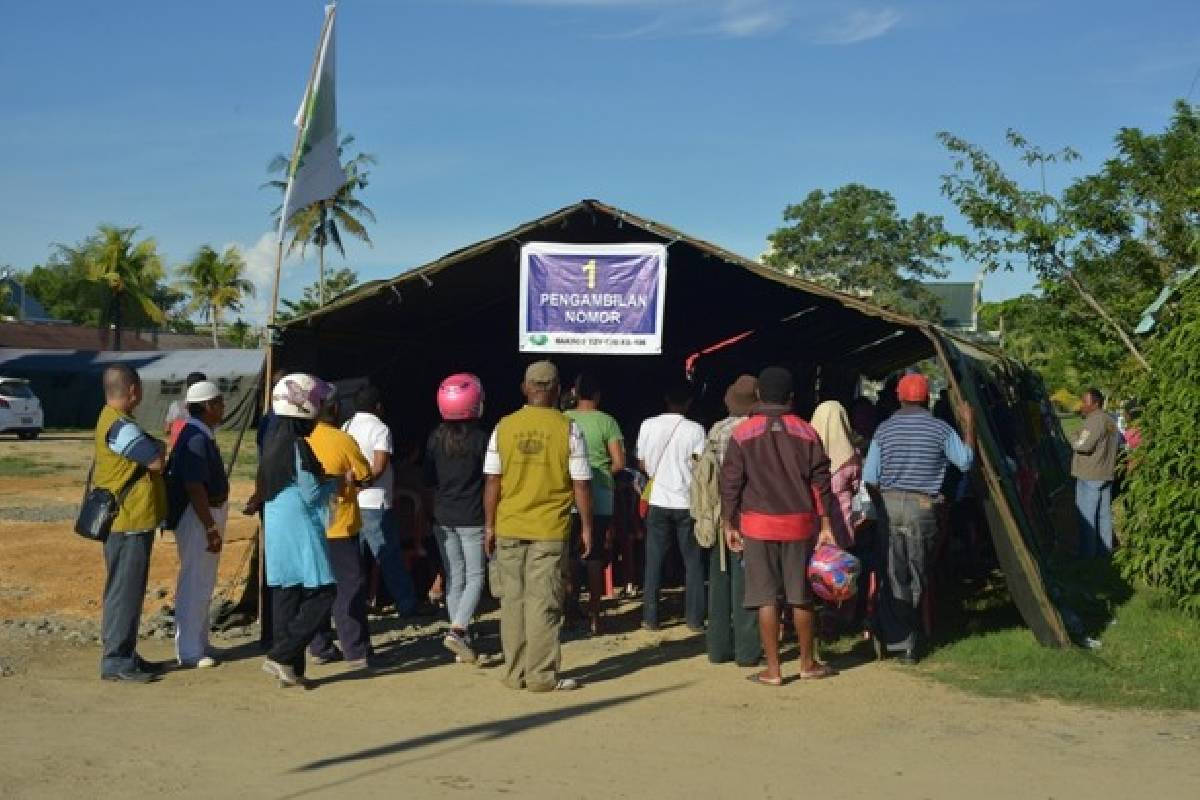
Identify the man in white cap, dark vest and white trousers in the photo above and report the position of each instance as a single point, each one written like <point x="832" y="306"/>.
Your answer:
<point x="197" y="484"/>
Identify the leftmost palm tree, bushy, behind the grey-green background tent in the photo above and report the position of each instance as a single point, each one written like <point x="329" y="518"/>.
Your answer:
<point x="122" y="275"/>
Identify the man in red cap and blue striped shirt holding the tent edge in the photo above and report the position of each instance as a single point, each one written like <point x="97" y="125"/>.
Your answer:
<point x="907" y="464"/>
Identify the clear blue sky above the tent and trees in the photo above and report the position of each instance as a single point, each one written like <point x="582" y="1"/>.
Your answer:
<point x="711" y="116"/>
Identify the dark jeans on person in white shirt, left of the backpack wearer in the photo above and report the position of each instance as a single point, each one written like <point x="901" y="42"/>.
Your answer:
<point x="664" y="527"/>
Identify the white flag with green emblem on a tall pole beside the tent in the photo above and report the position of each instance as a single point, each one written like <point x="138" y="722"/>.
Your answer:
<point x="316" y="172"/>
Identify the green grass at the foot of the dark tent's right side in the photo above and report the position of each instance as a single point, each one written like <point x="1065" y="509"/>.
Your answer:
<point x="1147" y="657"/>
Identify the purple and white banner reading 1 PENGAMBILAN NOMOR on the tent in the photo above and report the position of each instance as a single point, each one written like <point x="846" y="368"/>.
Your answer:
<point x="599" y="299"/>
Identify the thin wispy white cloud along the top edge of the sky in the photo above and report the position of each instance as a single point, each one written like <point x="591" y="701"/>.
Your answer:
<point x="826" y="22"/>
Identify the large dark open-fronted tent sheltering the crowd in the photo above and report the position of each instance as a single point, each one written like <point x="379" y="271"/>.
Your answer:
<point x="725" y="315"/>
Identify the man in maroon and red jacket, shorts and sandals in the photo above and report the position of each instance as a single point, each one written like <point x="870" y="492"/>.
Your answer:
<point x="775" y="500"/>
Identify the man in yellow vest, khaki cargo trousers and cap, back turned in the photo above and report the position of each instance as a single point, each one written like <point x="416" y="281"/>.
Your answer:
<point x="537" y="467"/>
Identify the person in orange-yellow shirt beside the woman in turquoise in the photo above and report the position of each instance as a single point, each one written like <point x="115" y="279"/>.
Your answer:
<point x="340" y="456"/>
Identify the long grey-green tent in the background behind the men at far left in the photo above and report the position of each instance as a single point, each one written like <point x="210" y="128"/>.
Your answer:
<point x="69" y="382"/>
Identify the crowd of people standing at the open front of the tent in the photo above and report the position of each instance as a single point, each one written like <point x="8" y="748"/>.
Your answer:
<point x="532" y="510"/>
